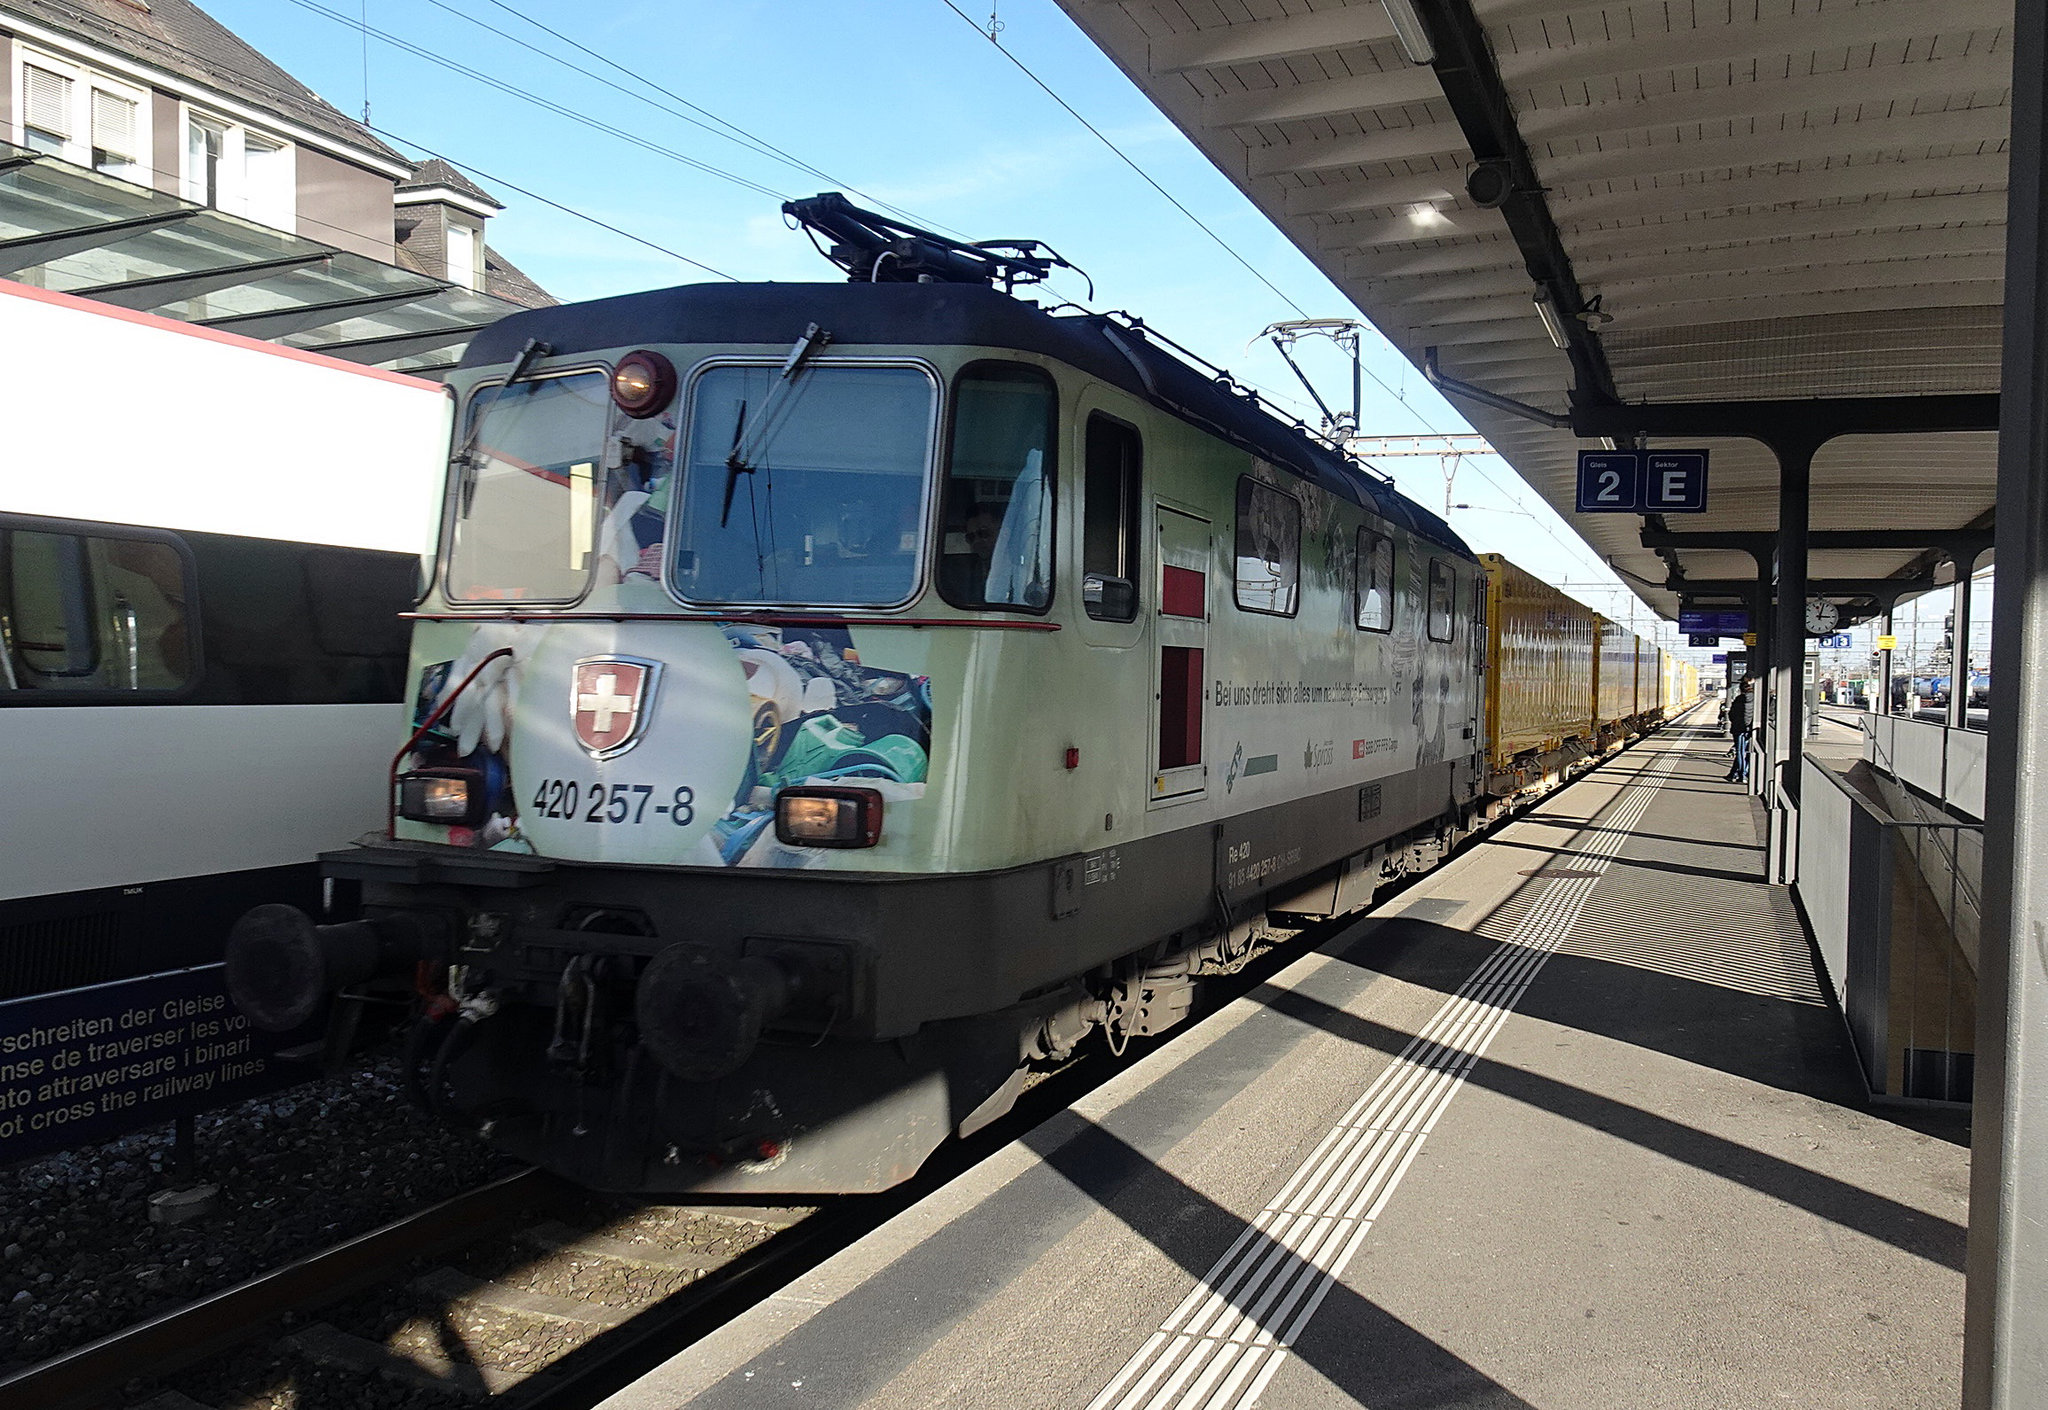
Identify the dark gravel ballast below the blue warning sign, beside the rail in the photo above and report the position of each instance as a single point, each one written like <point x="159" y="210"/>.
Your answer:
<point x="296" y="1173"/>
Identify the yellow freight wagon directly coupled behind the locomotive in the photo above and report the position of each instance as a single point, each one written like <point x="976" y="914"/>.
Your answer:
<point x="1539" y="677"/>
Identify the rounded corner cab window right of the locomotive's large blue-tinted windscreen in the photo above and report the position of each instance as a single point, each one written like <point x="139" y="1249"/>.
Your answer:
<point x="996" y="548"/>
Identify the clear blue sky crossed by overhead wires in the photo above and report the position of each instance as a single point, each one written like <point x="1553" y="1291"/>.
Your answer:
<point x="900" y="99"/>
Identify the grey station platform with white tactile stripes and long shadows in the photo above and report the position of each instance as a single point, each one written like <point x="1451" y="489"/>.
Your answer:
<point x="1570" y="1124"/>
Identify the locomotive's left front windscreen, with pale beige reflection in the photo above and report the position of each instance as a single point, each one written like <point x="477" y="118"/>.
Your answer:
<point x="525" y="507"/>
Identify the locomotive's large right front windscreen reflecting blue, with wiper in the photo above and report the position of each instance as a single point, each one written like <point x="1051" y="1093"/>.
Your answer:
<point x="826" y="507"/>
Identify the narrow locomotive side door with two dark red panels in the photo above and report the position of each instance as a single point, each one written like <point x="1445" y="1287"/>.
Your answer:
<point x="1181" y="669"/>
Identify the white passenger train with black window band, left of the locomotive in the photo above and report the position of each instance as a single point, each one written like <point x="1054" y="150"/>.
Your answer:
<point x="206" y="546"/>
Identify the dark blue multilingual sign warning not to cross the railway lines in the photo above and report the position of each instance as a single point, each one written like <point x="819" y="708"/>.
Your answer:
<point x="89" y="1065"/>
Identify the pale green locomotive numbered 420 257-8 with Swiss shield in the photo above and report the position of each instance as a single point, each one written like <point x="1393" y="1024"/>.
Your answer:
<point x="835" y="700"/>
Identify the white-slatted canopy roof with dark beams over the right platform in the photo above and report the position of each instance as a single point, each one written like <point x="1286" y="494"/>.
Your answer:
<point x="1725" y="202"/>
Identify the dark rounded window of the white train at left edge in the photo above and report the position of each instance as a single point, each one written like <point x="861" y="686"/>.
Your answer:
<point x="93" y="614"/>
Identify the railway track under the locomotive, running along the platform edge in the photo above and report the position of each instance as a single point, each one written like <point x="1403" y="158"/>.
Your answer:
<point x="525" y="1292"/>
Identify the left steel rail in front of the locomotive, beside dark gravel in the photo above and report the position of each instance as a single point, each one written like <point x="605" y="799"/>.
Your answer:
<point x="234" y="1315"/>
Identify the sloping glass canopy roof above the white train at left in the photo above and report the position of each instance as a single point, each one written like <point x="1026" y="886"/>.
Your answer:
<point x="103" y="239"/>
